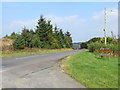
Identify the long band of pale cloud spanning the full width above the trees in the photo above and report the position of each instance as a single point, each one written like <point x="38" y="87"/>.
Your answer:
<point x="81" y="29"/>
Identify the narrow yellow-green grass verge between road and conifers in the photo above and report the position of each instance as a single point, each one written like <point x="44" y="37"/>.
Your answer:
<point x="33" y="51"/>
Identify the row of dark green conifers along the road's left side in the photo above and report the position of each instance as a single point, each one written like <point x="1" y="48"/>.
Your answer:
<point x="45" y="35"/>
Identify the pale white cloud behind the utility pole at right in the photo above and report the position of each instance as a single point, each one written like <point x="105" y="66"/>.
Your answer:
<point x="111" y="21"/>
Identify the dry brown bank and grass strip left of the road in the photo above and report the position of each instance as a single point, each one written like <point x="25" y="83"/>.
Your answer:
<point x="9" y="51"/>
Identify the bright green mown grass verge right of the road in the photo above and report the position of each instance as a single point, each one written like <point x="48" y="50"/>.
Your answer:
<point x="91" y="70"/>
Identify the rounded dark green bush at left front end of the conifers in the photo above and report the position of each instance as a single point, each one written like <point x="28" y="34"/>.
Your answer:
<point x="19" y="43"/>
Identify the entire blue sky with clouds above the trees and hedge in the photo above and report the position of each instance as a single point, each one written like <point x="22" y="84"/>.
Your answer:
<point x="84" y="20"/>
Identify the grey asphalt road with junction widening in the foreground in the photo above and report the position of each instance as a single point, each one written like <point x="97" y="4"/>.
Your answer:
<point x="37" y="71"/>
